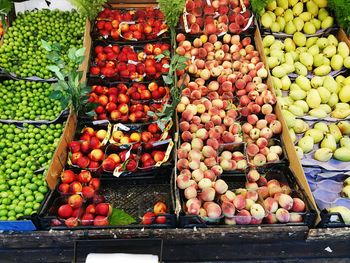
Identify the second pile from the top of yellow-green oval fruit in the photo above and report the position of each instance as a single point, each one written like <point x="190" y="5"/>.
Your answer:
<point x="313" y="56"/>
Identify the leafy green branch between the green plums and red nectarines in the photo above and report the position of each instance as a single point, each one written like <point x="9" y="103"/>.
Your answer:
<point x="69" y="89"/>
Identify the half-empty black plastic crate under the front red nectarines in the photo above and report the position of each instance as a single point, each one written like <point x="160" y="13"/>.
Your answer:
<point x="135" y="197"/>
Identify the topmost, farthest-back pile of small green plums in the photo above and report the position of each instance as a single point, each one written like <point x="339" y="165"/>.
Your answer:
<point x="22" y="52"/>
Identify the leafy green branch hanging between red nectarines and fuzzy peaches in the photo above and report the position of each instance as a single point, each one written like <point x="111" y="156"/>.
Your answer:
<point x="177" y="63"/>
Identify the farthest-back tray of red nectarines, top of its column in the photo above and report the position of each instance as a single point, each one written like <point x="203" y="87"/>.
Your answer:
<point x="130" y="25"/>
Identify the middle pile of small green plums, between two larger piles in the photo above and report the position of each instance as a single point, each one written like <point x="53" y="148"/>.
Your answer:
<point x="26" y="100"/>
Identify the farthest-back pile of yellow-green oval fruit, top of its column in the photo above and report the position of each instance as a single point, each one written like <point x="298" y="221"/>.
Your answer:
<point x="292" y="16"/>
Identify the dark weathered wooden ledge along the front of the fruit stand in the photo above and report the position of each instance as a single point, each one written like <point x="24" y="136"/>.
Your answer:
<point x="179" y="245"/>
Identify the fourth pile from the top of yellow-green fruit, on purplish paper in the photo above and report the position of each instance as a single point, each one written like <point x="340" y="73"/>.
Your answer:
<point x="332" y="139"/>
